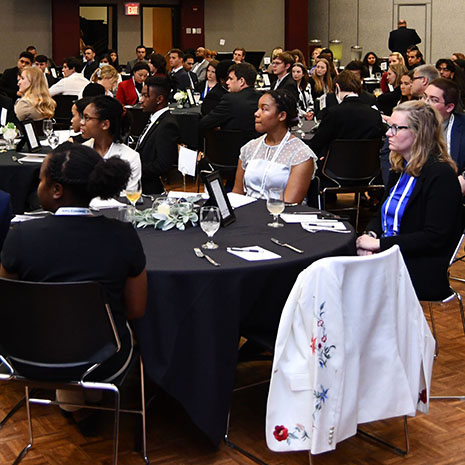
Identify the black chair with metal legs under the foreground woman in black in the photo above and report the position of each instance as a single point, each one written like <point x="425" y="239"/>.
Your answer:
<point x="49" y="329"/>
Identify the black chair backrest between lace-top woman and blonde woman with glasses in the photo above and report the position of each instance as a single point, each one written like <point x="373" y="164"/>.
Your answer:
<point x="353" y="161"/>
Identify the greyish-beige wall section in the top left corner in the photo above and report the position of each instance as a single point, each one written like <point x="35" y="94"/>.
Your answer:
<point x="23" y="23"/>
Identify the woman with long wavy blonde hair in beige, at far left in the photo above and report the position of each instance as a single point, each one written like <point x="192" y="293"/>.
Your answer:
<point x="35" y="102"/>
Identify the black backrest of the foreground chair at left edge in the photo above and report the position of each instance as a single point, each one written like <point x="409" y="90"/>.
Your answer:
<point x="55" y="325"/>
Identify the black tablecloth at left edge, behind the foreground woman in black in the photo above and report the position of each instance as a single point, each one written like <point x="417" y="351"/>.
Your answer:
<point x="19" y="180"/>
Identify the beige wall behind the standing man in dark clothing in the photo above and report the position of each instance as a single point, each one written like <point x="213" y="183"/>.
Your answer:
<point x="369" y="22"/>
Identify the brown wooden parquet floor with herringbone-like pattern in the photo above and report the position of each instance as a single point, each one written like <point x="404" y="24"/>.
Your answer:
<point x="437" y="438"/>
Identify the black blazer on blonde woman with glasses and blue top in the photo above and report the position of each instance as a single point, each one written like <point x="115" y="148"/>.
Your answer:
<point x="429" y="229"/>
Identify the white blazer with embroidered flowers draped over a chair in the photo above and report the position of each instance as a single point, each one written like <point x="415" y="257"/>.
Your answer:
<point x="353" y="346"/>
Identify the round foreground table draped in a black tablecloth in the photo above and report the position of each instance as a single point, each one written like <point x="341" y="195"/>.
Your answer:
<point x="196" y="312"/>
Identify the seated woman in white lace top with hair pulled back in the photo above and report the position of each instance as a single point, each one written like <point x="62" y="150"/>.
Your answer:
<point x="276" y="159"/>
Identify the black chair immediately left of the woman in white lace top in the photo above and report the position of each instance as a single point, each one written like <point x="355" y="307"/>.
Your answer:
<point x="222" y="148"/>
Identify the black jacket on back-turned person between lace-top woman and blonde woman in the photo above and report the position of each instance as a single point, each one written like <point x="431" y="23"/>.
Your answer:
<point x="351" y="119"/>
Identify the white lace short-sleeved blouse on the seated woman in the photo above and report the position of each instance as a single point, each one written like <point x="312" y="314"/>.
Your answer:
<point x="269" y="166"/>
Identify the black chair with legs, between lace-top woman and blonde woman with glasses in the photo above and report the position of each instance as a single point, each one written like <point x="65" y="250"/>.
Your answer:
<point x="353" y="166"/>
